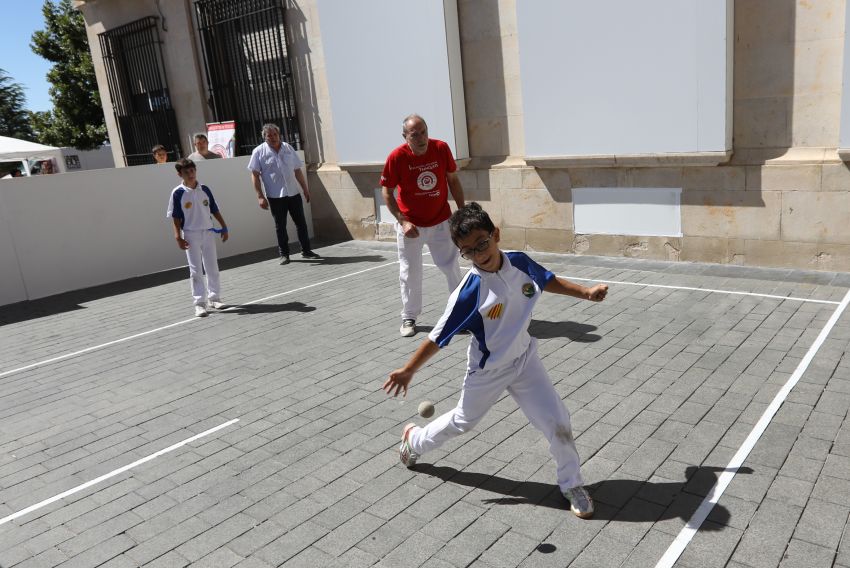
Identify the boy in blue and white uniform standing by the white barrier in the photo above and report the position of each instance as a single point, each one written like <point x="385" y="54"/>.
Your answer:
<point x="191" y="207"/>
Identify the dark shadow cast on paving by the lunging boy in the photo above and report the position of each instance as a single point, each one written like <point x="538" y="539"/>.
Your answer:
<point x="613" y="495"/>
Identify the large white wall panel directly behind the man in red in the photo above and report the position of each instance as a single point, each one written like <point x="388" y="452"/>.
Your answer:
<point x="385" y="59"/>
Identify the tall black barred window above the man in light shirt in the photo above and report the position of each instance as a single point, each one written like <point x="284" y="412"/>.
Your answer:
<point x="249" y="75"/>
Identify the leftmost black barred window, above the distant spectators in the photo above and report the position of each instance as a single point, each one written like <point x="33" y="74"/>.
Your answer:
<point x="138" y="88"/>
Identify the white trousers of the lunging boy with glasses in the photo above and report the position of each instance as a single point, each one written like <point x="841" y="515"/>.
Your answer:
<point x="528" y="383"/>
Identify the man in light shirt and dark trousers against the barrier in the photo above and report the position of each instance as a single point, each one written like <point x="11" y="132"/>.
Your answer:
<point x="279" y="167"/>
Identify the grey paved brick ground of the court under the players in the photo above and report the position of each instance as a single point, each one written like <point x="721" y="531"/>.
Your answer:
<point x="663" y="384"/>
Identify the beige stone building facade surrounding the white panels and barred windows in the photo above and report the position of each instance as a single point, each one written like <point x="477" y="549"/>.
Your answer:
<point x="779" y="197"/>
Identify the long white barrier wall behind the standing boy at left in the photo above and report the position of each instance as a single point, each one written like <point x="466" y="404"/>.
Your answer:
<point x="70" y="231"/>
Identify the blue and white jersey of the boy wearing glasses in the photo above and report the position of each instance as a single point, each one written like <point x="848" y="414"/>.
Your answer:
<point x="496" y="308"/>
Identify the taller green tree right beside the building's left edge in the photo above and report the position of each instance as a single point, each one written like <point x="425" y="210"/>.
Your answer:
<point x="77" y="117"/>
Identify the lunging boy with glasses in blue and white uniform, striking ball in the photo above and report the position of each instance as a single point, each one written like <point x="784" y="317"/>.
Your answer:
<point x="494" y="302"/>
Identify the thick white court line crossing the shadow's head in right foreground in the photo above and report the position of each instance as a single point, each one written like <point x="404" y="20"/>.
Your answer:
<point x="690" y="529"/>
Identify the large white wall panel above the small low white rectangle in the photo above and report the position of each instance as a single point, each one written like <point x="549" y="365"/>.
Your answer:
<point x="619" y="77"/>
